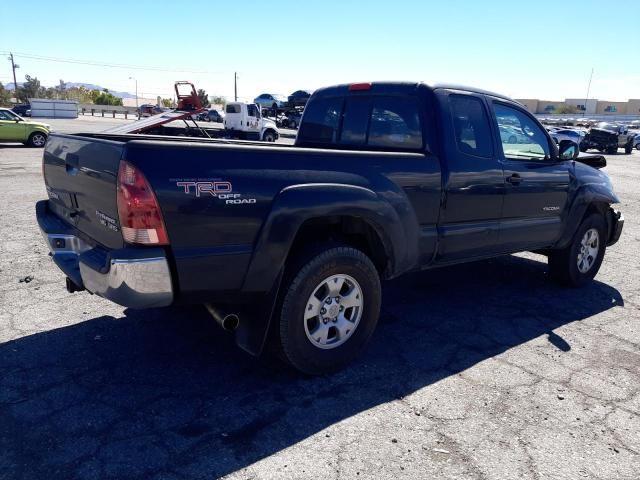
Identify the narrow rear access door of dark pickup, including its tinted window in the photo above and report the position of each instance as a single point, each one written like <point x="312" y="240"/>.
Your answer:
<point x="473" y="180"/>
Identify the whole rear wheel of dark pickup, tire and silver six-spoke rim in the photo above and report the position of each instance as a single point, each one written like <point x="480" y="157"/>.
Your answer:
<point x="329" y="311"/>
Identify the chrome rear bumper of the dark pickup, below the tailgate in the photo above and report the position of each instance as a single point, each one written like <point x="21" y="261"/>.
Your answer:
<point x="131" y="277"/>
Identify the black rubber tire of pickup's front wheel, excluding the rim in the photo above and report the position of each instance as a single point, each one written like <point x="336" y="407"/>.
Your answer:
<point x="563" y="264"/>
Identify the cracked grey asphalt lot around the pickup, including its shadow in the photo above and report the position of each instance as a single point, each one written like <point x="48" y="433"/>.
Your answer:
<point x="479" y="371"/>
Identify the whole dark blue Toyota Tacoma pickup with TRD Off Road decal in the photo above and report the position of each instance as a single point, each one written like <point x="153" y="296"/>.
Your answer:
<point x="287" y="245"/>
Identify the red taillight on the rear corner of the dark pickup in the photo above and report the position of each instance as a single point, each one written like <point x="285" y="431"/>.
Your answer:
<point x="140" y="217"/>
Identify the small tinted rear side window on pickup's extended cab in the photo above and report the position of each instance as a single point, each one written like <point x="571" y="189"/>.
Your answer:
<point x="471" y="126"/>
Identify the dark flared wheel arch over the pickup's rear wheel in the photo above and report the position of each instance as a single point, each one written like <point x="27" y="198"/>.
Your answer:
<point x="349" y="213"/>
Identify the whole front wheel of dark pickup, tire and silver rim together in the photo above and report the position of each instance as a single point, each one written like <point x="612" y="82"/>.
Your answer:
<point x="578" y="263"/>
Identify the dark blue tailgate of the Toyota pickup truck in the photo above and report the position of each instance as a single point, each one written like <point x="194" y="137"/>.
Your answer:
<point x="80" y="175"/>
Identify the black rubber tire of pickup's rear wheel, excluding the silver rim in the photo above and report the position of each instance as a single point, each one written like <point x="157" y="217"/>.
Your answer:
<point x="300" y="283"/>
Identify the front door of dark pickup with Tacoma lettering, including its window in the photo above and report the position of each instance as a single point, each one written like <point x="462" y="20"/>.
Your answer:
<point x="537" y="183"/>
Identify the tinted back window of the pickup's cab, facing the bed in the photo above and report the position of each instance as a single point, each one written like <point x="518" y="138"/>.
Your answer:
<point x="374" y="122"/>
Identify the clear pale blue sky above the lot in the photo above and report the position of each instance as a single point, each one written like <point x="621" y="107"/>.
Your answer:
<point x="533" y="49"/>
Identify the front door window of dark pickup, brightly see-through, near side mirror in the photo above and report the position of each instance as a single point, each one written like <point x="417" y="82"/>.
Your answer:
<point x="521" y="137"/>
